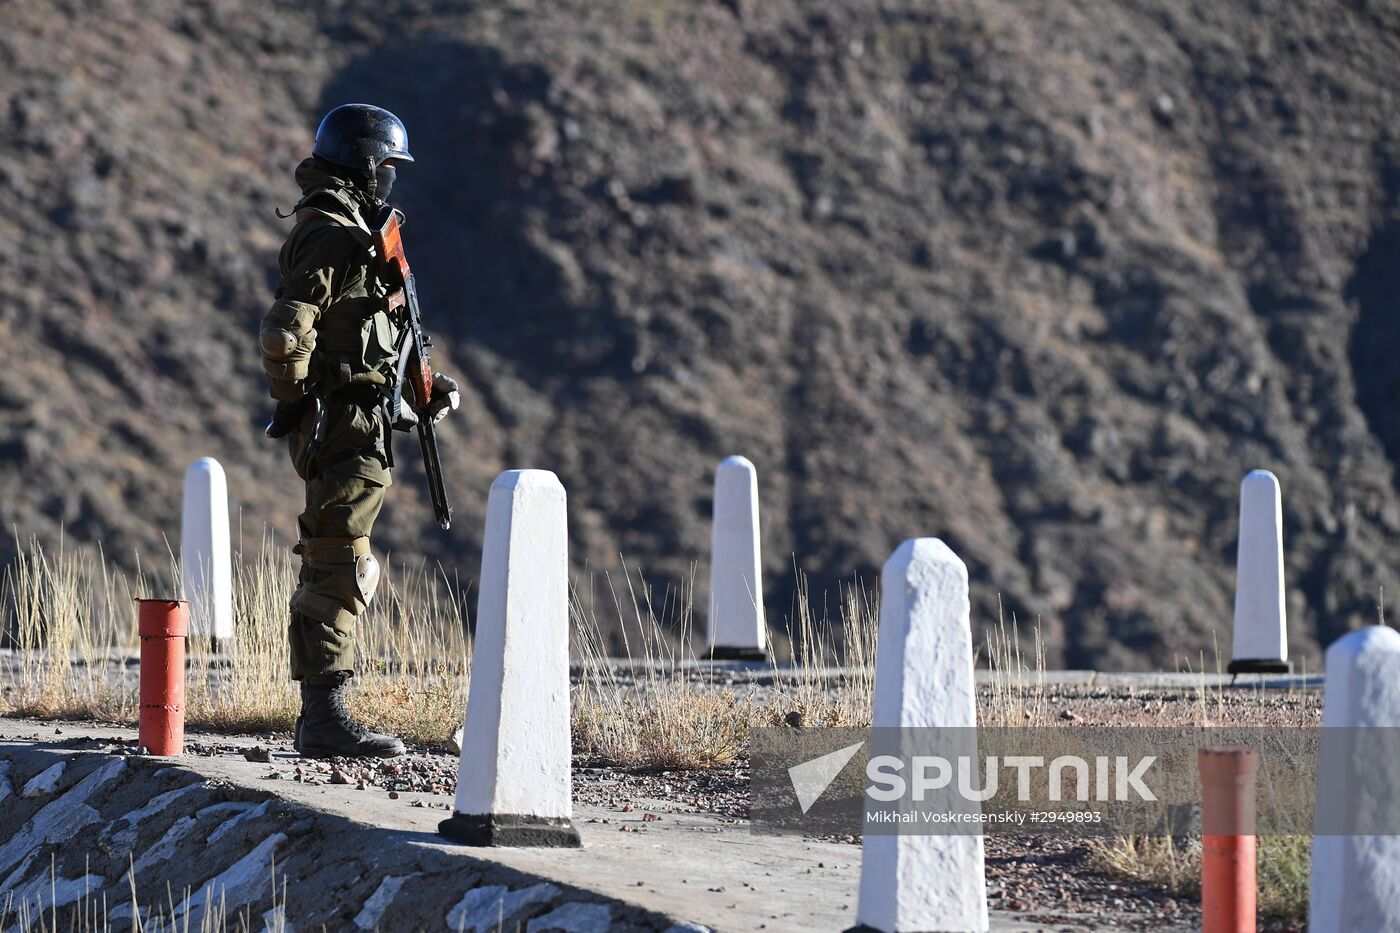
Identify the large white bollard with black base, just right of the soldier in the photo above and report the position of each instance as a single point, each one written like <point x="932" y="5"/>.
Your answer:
<point x="513" y="782"/>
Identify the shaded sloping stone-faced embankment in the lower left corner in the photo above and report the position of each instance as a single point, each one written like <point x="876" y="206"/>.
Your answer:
<point x="218" y="841"/>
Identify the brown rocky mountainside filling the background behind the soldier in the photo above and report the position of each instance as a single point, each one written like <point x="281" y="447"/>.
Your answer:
<point x="1042" y="281"/>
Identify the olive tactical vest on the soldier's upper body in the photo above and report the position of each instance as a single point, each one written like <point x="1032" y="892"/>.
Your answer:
<point x="356" y="337"/>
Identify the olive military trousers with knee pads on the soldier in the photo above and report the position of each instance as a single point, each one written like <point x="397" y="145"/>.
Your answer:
<point x="346" y="478"/>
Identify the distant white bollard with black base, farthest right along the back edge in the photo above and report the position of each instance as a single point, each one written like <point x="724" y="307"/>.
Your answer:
<point x="1261" y="618"/>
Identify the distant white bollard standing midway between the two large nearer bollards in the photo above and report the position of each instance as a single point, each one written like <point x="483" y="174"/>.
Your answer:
<point x="737" y="628"/>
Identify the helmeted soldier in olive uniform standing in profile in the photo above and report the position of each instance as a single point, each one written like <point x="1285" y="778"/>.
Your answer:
<point x="330" y="350"/>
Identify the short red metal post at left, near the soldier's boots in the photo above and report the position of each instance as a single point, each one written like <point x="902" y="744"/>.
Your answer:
<point x="163" y="626"/>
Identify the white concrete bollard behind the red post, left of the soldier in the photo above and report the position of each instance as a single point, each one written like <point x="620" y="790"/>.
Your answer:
<point x="206" y="565"/>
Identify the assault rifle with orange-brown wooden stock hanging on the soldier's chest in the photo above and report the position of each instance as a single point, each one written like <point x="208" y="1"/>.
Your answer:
<point x="415" y="368"/>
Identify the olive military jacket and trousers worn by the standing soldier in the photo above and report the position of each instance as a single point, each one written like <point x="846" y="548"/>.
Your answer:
<point x="330" y="334"/>
